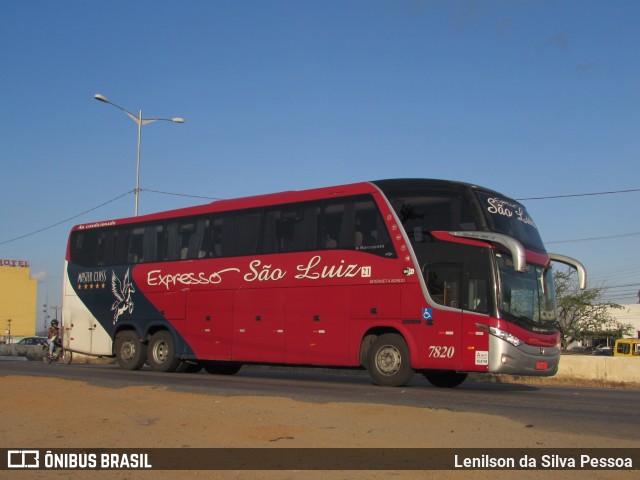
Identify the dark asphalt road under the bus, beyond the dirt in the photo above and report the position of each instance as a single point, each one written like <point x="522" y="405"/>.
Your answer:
<point x="606" y="412"/>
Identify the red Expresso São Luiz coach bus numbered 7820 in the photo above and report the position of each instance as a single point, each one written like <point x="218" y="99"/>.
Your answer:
<point x="396" y="276"/>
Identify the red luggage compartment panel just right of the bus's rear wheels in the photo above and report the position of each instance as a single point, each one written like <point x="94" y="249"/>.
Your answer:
<point x="209" y="324"/>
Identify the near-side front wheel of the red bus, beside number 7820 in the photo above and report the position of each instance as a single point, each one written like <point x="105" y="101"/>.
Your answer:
<point x="389" y="361"/>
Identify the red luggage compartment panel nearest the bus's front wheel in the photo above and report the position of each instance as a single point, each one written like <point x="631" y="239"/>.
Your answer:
<point x="317" y="326"/>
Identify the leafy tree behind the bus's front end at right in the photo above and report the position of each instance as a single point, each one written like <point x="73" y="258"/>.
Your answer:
<point x="582" y="314"/>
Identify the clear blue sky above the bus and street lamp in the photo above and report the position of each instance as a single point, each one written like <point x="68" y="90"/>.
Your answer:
<point x="530" y="98"/>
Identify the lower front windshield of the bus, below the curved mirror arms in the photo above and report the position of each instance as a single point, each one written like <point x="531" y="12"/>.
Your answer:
<point x="526" y="298"/>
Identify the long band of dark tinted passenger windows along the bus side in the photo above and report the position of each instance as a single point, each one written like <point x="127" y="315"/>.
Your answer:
<point x="349" y="223"/>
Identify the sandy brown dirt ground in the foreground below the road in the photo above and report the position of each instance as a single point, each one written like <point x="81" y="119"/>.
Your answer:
<point x="51" y="413"/>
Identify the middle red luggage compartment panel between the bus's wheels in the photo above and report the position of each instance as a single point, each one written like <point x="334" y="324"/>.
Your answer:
<point x="259" y="325"/>
